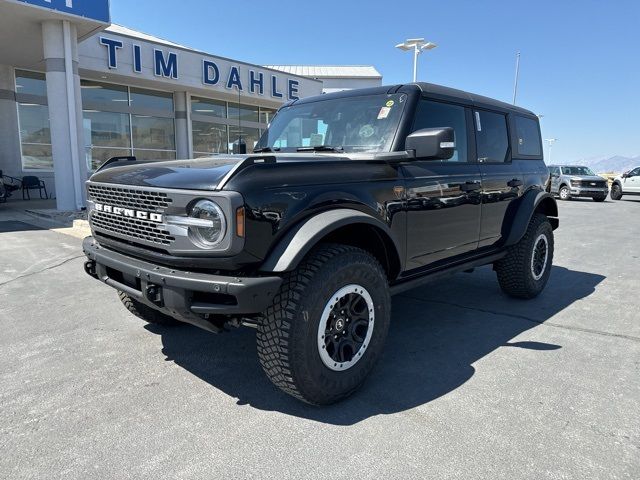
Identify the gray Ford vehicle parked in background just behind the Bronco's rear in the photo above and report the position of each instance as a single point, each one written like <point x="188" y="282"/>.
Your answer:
<point x="568" y="181"/>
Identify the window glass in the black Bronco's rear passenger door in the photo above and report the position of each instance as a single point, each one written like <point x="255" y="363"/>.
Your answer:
<point x="492" y="138"/>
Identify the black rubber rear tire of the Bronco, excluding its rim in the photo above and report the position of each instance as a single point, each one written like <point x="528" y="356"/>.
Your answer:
<point x="515" y="270"/>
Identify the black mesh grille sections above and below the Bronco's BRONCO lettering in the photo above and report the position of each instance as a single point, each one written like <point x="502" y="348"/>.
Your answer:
<point x="132" y="198"/>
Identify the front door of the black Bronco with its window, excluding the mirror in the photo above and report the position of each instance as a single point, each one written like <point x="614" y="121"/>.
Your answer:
<point x="443" y="197"/>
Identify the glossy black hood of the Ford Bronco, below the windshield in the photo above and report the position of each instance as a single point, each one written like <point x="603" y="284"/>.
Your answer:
<point x="200" y="174"/>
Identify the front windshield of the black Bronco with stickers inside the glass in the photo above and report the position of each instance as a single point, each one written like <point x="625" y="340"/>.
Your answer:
<point x="354" y="124"/>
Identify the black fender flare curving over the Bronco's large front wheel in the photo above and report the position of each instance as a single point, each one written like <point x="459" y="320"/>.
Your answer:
<point x="297" y="242"/>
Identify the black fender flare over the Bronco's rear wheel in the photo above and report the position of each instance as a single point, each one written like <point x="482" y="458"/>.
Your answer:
<point x="522" y="212"/>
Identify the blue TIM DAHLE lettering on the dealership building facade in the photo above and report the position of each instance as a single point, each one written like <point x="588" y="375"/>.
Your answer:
<point x="167" y="64"/>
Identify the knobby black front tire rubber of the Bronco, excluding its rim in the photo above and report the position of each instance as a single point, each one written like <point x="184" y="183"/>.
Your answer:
<point x="287" y="337"/>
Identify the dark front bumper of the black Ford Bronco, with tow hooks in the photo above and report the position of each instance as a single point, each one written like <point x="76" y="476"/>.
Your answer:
<point x="187" y="296"/>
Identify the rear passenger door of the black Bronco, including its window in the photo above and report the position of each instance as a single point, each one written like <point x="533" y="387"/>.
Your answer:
<point x="502" y="181"/>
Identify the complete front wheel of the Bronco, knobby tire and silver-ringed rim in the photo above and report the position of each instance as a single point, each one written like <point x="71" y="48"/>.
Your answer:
<point x="327" y="326"/>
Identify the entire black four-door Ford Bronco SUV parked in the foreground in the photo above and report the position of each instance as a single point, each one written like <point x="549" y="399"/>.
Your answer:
<point x="347" y="199"/>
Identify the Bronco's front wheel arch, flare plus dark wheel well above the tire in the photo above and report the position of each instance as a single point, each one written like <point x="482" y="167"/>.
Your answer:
<point x="344" y="226"/>
